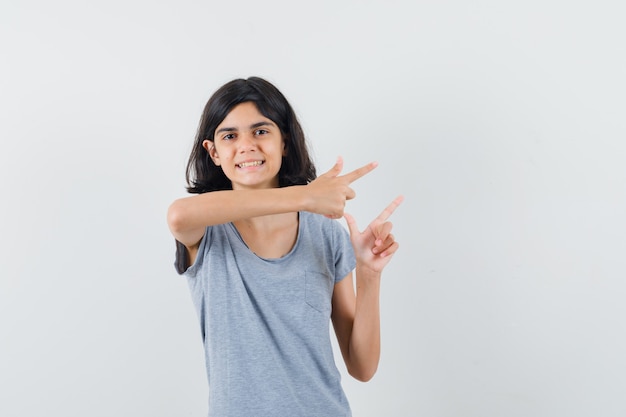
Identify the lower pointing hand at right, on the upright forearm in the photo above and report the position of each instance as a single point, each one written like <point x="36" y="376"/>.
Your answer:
<point x="374" y="246"/>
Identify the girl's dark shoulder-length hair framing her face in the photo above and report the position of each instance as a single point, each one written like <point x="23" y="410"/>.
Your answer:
<point x="203" y="175"/>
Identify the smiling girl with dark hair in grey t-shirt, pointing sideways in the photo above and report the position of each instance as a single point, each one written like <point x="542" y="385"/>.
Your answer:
<point x="269" y="265"/>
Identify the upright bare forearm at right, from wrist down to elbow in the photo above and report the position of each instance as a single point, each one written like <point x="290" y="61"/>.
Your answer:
<point x="365" y="338"/>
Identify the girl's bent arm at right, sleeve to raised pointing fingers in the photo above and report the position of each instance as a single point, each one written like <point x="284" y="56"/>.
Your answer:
<point x="356" y="316"/>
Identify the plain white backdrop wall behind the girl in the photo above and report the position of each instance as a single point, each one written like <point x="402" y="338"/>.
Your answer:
<point x="501" y="122"/>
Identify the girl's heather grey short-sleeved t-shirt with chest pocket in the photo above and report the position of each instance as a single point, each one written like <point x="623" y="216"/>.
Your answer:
<point x="265" y="322"/>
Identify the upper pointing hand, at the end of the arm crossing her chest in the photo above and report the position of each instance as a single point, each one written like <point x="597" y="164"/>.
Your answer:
<point x="328" y="193"/>
